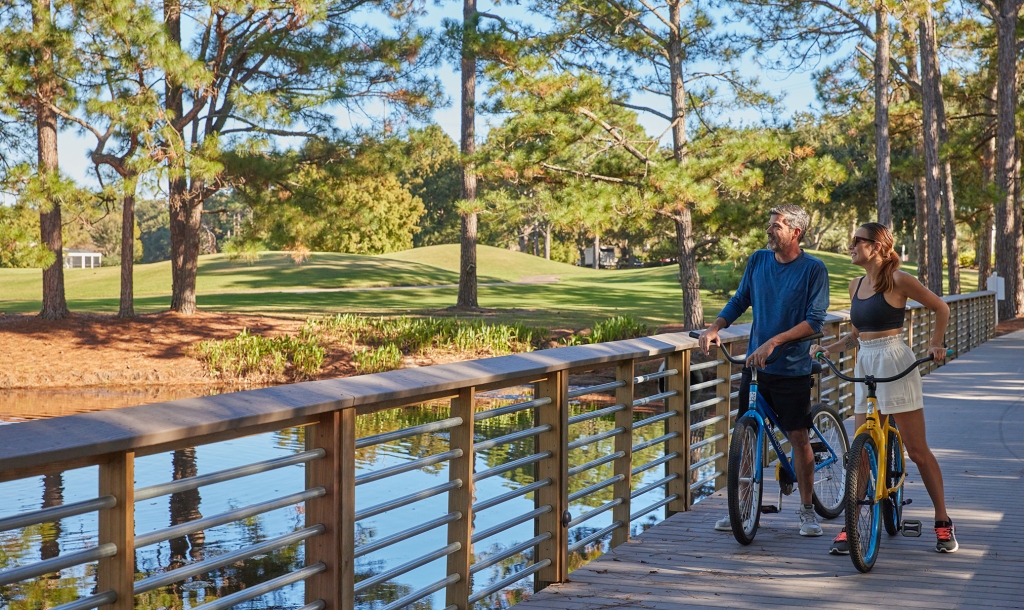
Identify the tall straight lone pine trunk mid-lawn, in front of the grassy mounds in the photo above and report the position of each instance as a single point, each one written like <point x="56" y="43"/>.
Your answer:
<point x="467" y="258"/>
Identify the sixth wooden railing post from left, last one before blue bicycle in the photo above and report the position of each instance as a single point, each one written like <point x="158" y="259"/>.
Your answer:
<point x="681" y="424"/>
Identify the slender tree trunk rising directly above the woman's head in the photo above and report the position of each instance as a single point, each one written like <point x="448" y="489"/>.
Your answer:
<point x="882" y="114"/>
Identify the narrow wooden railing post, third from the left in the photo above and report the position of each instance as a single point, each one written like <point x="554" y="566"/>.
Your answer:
<point x="461" y="500"/>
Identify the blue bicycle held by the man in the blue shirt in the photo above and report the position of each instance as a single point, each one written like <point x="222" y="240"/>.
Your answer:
<point x="747" y="456"/>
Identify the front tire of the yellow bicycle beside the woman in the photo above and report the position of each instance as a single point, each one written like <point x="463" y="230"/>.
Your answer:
<point x="864" y="528"/>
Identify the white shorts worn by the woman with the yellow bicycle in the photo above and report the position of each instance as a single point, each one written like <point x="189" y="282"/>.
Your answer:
<point x="886" y="358"/>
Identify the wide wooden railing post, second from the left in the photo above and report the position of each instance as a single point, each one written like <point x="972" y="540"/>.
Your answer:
<point x="335" y="433"/>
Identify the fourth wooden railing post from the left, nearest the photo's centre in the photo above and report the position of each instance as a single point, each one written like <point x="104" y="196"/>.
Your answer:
<point x="556" y="468"/>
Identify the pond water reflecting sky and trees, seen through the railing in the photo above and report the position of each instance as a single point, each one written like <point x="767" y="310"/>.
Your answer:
<point x="32" y="544"/>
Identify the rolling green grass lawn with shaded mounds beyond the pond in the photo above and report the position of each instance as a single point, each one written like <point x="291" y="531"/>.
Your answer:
<point x="580" y="298"/>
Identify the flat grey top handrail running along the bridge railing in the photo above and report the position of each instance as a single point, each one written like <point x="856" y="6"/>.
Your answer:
<point x="91" y="437"/>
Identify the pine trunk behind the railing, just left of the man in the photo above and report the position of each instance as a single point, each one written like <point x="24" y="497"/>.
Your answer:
<point x="690" y="279"/>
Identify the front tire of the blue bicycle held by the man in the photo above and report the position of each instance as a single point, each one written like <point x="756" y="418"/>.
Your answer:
<point x="745" y="486"/>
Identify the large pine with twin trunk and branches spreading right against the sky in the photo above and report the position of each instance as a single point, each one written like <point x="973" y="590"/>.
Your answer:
<point x="275" y="69"/>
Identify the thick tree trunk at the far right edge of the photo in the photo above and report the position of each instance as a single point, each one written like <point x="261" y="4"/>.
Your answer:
<point x="1008" y="217"/>
